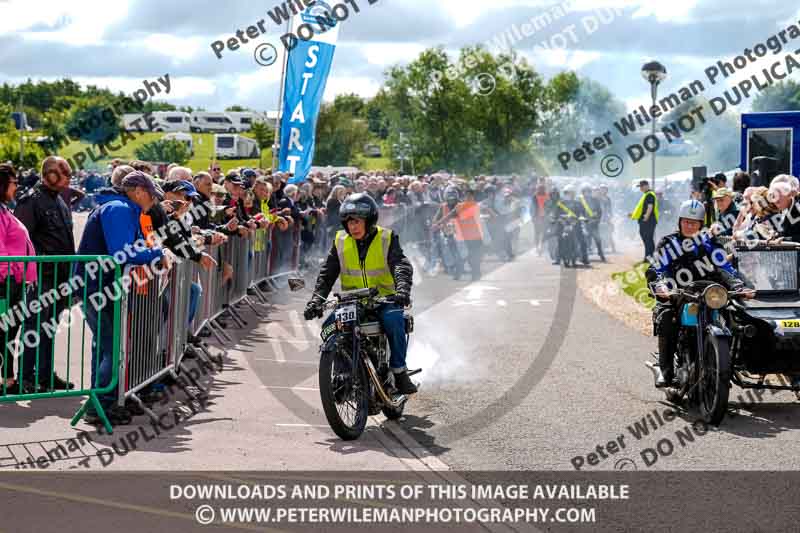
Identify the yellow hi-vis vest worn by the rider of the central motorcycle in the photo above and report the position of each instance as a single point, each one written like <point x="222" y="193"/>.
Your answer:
<point x="374" y="271"/>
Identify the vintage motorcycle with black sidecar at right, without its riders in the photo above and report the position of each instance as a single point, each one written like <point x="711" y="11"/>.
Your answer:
<point x="739" y="337"/>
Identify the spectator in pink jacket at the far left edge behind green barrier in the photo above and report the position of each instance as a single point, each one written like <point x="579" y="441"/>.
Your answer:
<point x="14" y="241"/>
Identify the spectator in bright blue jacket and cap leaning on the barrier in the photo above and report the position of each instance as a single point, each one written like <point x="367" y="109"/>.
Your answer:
<point x="114" y="229"/>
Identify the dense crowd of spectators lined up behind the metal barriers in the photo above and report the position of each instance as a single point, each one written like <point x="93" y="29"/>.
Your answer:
<point x="179" y="214"/>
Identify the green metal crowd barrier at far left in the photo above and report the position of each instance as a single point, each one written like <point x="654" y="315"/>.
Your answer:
<point x="38" y="316"/>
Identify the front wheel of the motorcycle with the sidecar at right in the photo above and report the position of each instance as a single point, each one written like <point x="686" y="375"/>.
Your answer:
<point x="715" y="381"/>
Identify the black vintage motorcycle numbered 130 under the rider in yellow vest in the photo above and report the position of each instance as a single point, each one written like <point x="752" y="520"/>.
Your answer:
<point x="355" y="380"/>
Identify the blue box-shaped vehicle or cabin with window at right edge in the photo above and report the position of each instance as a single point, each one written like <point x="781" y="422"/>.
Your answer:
<point x="771" y="143"/>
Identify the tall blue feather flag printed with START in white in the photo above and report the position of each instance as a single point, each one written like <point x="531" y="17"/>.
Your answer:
<point x="307" y="70"/>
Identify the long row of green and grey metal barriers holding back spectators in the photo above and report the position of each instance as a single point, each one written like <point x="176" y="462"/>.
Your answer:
<point x="151" y="316"/>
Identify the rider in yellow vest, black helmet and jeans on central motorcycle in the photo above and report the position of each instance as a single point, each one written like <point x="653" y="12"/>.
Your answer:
<point x="367" y="255"/>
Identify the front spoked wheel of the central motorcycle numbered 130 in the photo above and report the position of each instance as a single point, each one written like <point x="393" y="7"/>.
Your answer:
<point x="344" y="394"/>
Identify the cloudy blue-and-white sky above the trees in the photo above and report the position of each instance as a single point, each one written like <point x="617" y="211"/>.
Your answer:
<point x="119" y="43"/>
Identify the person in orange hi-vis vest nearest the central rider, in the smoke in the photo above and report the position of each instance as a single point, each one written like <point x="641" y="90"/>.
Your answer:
<point x="466" y="220"/>
